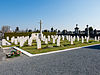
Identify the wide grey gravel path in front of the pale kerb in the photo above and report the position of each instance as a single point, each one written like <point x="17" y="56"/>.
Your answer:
<point x="84" y="61"/>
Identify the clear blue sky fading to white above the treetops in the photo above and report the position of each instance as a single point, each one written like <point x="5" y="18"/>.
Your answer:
<point x="59" y="14"/>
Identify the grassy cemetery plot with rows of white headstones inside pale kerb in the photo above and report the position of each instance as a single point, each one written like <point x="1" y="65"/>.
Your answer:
<point x="39" y="43"/>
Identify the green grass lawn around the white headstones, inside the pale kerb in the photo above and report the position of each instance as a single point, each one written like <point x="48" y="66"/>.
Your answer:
<point x="46" y="48"/>
